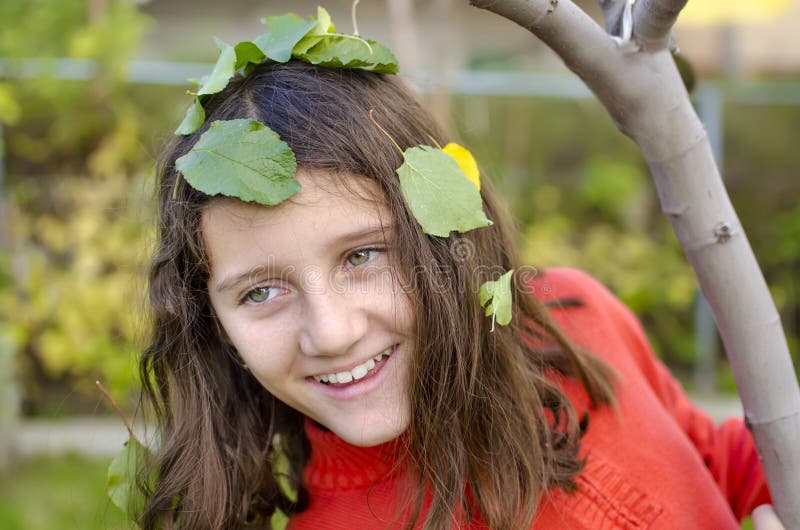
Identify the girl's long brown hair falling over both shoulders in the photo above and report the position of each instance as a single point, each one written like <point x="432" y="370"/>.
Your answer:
<point x="478" y="397"/>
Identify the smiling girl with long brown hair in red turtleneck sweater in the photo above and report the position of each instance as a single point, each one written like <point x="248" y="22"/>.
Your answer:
<point x="326" y="358"/>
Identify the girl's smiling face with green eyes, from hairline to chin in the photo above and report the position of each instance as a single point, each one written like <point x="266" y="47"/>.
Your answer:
<point x="306" y="294"/>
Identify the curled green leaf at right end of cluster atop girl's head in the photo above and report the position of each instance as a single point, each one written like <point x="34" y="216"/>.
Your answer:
<point x="351" y="52"/>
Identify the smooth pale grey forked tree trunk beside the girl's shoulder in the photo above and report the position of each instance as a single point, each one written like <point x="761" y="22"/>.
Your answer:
<point x="640" y="87"/>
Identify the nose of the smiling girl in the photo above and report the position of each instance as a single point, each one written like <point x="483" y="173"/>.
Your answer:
<point x="332" y="322"/>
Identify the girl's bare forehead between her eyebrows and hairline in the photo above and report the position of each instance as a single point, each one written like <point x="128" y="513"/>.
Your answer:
<point x="327" y="207"/>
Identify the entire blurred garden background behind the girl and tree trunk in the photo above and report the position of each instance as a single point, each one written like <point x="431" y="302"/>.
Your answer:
<point x="89" y="90"/>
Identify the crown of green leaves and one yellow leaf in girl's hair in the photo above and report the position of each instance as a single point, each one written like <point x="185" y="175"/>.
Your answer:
<point x="245" y="159"/>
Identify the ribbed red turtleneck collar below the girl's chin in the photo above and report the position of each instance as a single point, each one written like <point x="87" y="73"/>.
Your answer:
<point x="337" y="465"/>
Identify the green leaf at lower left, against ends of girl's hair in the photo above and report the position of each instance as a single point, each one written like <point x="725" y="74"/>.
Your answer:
<point x="122" y="473"/>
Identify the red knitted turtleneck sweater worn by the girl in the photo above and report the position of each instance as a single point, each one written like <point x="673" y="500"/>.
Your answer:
<point x="661" y="463"/>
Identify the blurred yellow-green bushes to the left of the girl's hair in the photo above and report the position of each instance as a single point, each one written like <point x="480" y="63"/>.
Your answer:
<point x="78" y="158"/>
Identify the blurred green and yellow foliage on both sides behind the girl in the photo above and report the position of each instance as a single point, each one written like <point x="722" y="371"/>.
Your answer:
<point x="79" y="158"/>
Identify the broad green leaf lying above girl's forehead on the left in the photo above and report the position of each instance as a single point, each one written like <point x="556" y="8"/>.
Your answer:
<point x="244" y="159"/>
